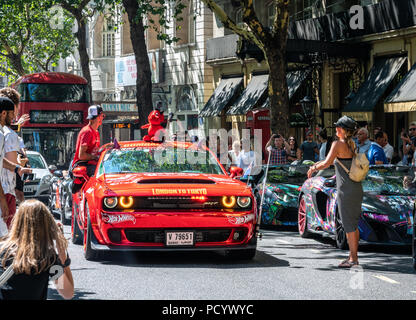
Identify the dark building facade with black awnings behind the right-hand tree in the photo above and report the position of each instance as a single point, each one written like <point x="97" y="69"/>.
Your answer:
<point x="358" y="72"/>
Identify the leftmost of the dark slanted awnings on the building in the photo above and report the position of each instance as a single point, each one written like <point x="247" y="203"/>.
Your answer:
<point x="223" y="94"/>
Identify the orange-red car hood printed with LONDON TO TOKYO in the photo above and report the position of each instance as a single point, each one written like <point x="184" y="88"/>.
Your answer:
<point x="173" y="184"/>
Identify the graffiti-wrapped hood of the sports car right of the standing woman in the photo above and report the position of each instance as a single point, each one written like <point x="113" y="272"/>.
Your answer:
<point x="399" y="206"/>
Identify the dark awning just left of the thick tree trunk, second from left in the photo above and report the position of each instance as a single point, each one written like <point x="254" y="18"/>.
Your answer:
<point x="251" y="95"/>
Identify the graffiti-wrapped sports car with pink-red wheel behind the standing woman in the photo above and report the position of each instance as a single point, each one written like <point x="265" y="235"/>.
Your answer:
<point x="386" y="216"/>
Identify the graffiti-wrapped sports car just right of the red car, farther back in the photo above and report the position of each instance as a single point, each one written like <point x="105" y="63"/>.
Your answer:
<point x="281" y="193"/>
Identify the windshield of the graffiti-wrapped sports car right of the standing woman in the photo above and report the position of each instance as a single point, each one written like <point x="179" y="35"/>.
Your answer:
<point x="390" y="180"/>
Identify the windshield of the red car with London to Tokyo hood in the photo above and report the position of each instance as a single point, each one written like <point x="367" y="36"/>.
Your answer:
<point x="161" y="159"/>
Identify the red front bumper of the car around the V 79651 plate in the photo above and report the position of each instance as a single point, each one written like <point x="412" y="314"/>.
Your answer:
<point x="146" y="231"/>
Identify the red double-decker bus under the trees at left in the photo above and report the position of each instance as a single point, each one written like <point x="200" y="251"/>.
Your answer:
<point x="58" y="105"/>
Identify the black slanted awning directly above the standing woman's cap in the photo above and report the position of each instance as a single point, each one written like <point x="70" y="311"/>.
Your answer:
<point x="381" y="74"/>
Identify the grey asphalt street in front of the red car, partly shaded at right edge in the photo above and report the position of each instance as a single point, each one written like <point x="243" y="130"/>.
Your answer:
<point x="285" y="267"/>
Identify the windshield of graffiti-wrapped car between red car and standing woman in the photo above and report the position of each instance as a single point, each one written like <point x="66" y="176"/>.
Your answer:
<point x="288" y="174"/>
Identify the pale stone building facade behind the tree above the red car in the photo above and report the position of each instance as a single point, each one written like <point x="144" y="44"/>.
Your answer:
<point x="180" y="76"/>
